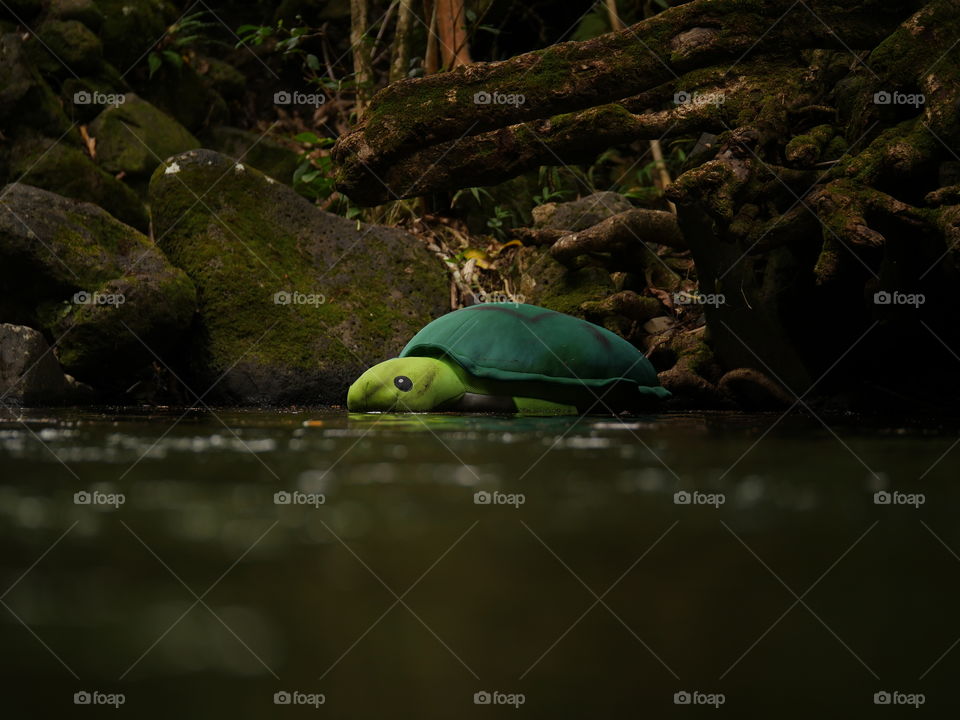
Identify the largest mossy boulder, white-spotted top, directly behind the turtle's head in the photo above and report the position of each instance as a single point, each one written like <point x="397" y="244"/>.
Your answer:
<point x="254" y="238"/>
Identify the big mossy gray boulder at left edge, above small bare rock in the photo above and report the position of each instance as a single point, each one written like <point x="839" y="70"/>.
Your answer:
<point x="52" y="248"/>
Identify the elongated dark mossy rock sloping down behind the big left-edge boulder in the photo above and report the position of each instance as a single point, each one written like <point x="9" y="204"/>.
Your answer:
<point x="66" y="170"/>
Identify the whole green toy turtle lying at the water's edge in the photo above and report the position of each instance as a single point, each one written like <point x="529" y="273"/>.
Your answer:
<point x="509" y="357"/>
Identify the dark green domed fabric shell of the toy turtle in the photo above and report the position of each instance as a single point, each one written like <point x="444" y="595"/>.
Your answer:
<point x="517" y="342"/>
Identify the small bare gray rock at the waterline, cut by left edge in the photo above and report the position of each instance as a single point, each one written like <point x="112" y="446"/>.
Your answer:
<point x="29" y="372"/>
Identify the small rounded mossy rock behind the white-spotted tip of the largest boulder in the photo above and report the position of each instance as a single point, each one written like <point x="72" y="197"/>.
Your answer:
<point x="135" y="137"/>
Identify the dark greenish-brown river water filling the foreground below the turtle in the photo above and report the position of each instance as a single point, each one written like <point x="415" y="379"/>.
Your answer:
<point x="397" y="565"/>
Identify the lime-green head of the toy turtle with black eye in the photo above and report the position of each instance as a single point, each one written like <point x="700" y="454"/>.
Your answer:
<point x="415" y="384"/>
